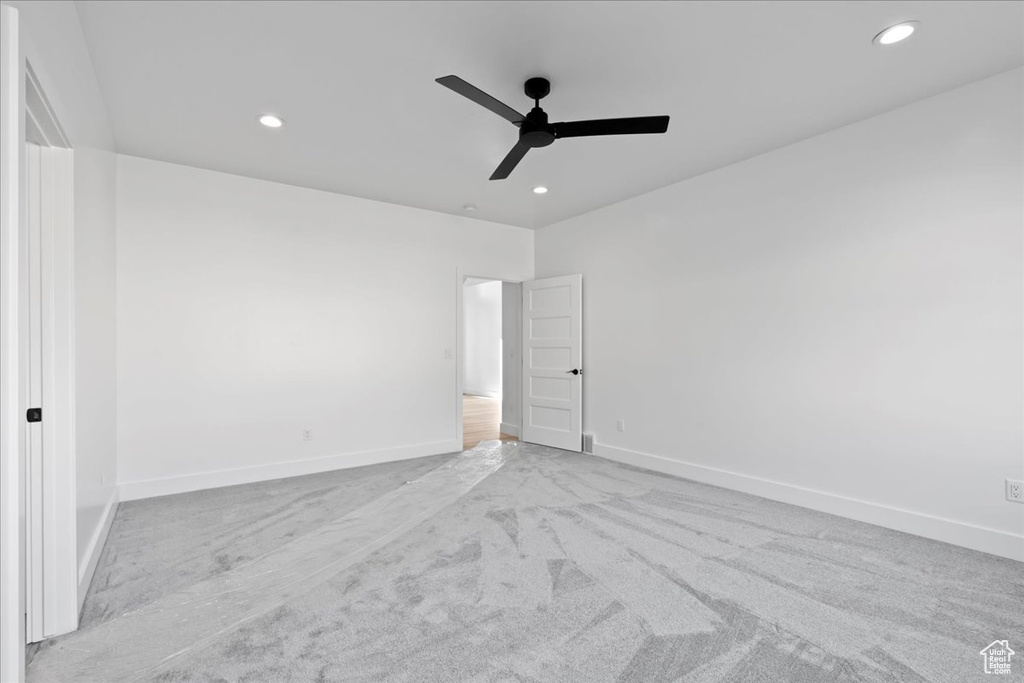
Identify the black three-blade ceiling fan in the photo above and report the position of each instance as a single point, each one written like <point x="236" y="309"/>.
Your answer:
<point x="535" y="132"/>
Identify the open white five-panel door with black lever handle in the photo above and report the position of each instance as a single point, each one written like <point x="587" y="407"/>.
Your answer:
<point x="552" y="359"/>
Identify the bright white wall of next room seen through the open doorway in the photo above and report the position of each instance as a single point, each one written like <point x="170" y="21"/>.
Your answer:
<point x="482" y="352"/>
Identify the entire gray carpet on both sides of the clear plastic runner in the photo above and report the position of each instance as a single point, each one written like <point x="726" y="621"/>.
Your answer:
<point x="567" y="568"/>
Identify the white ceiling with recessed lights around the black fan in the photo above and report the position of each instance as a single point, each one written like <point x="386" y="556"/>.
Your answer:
<point x="185" y="81"/>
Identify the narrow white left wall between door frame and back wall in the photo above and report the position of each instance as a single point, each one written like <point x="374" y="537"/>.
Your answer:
<point x="57" y="51"/>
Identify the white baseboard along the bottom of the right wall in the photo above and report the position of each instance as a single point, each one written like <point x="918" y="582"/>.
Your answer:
<point x="949" y="531"/>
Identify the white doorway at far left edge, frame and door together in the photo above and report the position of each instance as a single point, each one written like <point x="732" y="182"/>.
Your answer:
<point x="25" y="116"/>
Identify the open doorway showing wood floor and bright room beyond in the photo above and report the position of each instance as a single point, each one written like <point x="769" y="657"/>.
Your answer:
<point x="490" y="361"/>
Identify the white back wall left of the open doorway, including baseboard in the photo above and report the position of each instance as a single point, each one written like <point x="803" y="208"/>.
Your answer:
<point x="250" y="311"/>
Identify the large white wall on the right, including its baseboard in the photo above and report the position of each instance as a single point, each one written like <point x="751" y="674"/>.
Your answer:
<point x="837" y="323"/>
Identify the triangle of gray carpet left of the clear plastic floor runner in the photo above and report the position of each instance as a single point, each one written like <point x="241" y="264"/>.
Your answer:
<point x="159" y="545"/>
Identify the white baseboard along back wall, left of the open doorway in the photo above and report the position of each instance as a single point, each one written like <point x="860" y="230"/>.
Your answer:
<point x="133" y="491"/>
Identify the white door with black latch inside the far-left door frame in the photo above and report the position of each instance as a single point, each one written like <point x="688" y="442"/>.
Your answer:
<point x="51" y="553"/>
